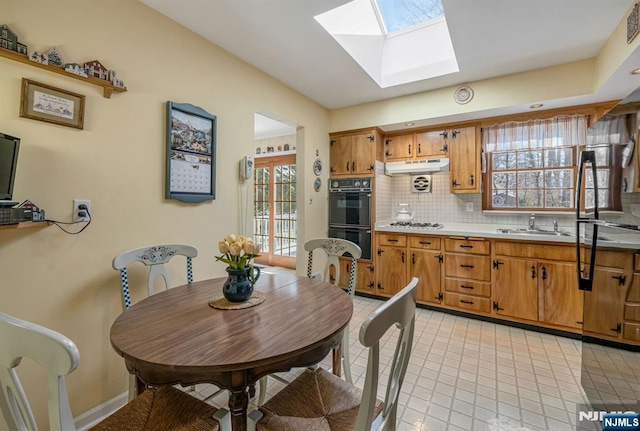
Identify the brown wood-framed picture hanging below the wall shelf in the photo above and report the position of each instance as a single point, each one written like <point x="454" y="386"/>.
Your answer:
<point x="52" y="105"/>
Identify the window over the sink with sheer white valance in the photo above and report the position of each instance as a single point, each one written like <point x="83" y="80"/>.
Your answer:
<point x="532" y="165"/>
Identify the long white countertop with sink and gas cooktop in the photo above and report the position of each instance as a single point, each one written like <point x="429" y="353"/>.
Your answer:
<point x="491" y="231"/>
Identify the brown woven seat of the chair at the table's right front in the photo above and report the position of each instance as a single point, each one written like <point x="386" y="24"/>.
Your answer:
<point x="315" y="401"/>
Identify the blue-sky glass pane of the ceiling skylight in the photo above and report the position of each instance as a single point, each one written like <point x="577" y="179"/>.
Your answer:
<point x="401" y="14"/>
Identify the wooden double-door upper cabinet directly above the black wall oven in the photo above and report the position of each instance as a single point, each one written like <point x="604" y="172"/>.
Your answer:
<point x="353" y="154"/>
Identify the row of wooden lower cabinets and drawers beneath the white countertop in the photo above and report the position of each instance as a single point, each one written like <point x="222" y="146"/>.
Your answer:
<point x="523" y="281"/>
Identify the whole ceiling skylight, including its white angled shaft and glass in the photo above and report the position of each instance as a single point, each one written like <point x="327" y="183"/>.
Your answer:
<point x="410" y="44"/>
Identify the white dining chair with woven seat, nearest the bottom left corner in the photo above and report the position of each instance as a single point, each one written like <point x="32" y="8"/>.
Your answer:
<point x="160" y="409"/>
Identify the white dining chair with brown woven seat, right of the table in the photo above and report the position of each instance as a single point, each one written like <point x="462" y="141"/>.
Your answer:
<point x="318" y="399"/>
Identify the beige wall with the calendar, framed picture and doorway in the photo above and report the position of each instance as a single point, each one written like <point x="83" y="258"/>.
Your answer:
<point x="65" y="281"/>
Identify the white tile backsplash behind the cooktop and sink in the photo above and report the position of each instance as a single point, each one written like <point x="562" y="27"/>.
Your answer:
<point x="442" y="206"/>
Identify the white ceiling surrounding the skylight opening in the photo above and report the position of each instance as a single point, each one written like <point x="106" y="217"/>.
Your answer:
<point x="490" y="37"/>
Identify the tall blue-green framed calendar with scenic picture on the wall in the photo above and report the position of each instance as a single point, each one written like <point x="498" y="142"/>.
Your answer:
<point x="191" y="153"/>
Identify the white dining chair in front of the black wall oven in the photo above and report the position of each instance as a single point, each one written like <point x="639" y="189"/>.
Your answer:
<point x="332" y="249"/>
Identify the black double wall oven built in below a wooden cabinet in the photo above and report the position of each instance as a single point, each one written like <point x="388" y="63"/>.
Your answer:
<point x="350" y="211"/>
